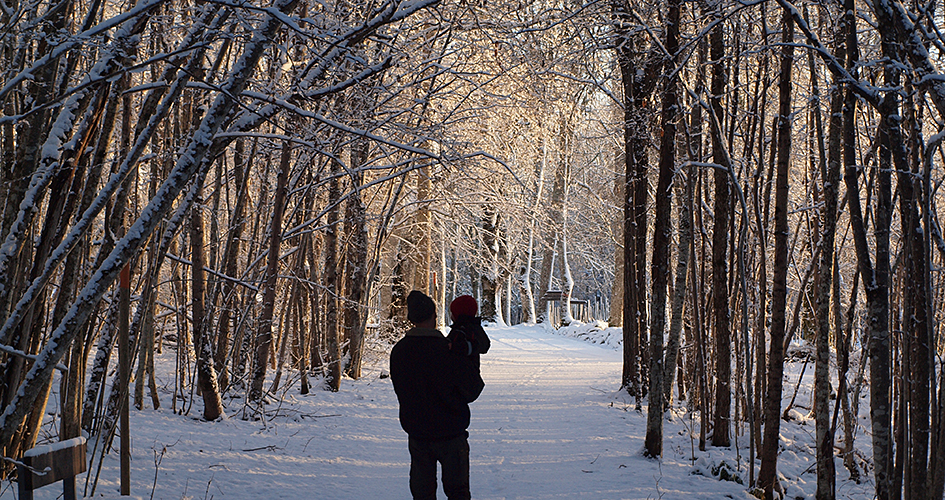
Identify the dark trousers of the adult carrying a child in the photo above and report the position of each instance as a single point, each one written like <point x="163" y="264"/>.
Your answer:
<point x="453" y="456"/>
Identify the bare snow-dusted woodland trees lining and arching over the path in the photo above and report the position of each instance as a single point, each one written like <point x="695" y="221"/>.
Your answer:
<point x="724" y="179"/>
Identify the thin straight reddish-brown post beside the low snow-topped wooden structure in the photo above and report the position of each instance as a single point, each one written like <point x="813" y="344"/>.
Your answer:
<point x="124" y="367"/>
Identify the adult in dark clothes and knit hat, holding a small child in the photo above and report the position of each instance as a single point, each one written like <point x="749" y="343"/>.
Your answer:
<point x="434" y="387"/>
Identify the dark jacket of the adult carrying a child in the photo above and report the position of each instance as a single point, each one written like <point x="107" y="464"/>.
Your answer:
<point x="434" y="386"/>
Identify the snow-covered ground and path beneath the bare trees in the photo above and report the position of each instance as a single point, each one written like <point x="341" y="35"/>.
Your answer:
<point x="550" y="424"/>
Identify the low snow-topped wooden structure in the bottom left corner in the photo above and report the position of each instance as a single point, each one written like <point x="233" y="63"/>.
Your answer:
<point x="47" y="464"/>
